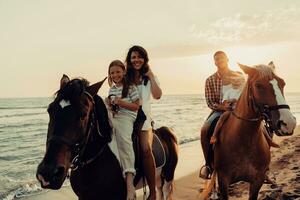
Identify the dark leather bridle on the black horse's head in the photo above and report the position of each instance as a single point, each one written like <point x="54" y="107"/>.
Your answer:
<point x="79" y="147"/>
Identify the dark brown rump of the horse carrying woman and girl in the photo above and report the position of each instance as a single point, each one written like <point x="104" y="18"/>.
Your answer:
<point x="170" y="144"/>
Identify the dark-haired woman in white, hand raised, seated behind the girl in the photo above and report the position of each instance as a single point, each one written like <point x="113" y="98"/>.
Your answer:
<point x="140" y="74"/>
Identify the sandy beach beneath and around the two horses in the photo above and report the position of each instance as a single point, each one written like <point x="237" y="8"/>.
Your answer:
<point x="284" y="169"/>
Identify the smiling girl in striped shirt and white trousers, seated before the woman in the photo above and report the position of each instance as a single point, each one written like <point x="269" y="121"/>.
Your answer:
<point x="124" y="102"/>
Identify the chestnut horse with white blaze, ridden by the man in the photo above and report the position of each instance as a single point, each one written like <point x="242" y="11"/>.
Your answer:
<point x="241" y="152"/>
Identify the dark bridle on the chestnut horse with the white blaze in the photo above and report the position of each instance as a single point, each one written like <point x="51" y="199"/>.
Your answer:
<point x="264" y="112"/>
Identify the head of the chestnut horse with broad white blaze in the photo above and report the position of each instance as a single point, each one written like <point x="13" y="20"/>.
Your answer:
<point x="266" y="92"/>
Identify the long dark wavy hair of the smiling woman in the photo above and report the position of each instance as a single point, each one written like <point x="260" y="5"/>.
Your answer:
<point x="130" y="69"/>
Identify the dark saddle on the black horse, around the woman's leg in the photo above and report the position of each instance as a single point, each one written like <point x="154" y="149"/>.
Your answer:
<point x="157" y="147"/>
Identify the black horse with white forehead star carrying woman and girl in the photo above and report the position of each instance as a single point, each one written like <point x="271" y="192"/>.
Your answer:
<point x="77" y="140"/>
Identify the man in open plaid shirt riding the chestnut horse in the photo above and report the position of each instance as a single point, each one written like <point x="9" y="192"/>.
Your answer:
<point x="214" y="99"/>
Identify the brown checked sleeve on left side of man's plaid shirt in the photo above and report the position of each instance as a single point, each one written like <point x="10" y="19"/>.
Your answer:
<point x="213" y="94"/>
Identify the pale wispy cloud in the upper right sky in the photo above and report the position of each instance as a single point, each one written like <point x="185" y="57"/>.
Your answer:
<point x="265" y="27"/>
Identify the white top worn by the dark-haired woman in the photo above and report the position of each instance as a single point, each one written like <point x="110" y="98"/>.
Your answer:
<point x="145" y="101"/>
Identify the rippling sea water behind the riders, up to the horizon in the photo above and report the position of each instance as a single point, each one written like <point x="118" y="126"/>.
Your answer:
<point x="23" y="129"/>
